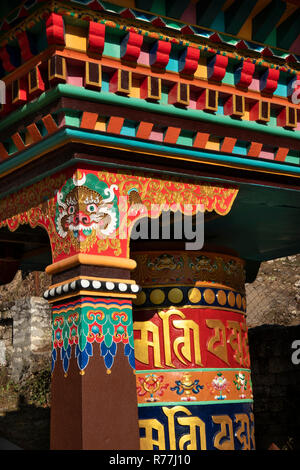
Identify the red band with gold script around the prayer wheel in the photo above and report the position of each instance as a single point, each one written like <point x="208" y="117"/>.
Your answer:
<point x="176" y="338"/>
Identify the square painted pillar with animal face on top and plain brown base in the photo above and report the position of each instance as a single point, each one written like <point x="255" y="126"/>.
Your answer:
<point x="93" y="398"/>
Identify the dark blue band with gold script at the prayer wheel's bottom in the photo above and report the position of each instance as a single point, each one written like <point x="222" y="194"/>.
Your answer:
<point x="180" y="428"/>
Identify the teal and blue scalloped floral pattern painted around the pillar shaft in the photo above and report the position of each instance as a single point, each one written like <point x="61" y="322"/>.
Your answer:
<point x="103" y="322"/>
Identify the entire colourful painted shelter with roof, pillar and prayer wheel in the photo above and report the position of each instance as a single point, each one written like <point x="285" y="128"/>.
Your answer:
<point x="126" y="127"/>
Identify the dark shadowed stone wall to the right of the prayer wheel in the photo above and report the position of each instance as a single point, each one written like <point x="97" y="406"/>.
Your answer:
<point x="276" y="385"/>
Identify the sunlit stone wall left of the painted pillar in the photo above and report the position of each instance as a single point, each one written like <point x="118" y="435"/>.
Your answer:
<point x="25" y="335"/>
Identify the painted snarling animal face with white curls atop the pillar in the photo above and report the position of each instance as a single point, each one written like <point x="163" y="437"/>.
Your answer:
<point x="85" y="214"/>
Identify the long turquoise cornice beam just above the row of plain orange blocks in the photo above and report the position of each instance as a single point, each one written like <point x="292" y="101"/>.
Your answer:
<point x="80" y="93"/>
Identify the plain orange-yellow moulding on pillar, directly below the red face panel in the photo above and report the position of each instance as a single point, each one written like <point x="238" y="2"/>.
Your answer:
<point x="94" y="260"/>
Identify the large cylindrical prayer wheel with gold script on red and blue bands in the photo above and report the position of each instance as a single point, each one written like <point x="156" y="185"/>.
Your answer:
<point x="193" y="369"/>
